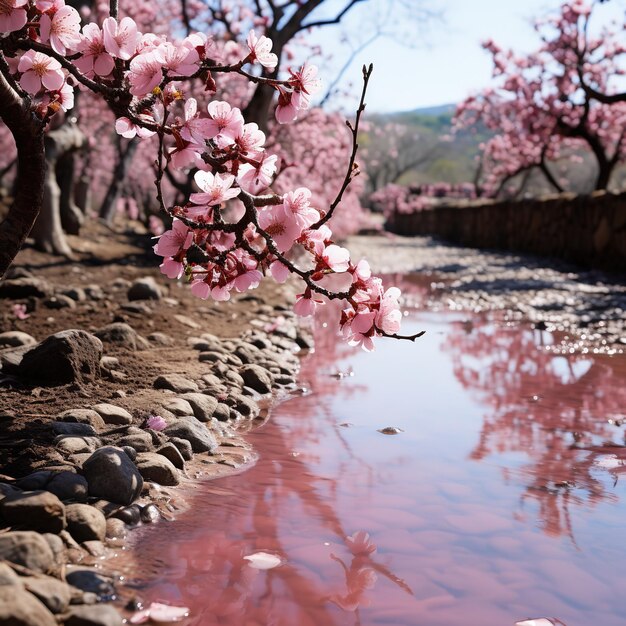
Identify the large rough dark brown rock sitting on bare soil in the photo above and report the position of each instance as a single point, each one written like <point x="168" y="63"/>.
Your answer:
<point x="65" y="357"/>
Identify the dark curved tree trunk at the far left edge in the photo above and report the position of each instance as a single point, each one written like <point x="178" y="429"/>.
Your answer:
<point x="27" y="132"/>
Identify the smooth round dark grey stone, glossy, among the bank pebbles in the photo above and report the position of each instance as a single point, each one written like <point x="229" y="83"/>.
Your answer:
<point x="111" y="475"/>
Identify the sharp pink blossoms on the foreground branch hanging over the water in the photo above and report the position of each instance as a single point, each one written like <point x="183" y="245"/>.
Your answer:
<point x="227" y="236"/>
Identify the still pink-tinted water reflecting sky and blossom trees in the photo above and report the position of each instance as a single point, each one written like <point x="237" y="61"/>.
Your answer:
<point x="500" y="500"/>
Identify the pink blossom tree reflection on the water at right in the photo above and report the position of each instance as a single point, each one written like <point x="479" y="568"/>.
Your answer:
<point x="561" y="413"/>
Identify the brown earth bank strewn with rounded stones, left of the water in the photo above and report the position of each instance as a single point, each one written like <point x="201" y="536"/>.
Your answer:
<point x="113" y="391"/>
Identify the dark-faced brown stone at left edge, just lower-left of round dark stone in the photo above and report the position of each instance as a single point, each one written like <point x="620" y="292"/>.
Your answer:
<point x="34" y="510"/>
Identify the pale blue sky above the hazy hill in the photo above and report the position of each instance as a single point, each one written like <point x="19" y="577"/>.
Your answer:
<point x="445" y="61"/>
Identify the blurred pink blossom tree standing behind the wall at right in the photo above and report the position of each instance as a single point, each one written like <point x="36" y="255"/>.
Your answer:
<point x="538" y="107"/>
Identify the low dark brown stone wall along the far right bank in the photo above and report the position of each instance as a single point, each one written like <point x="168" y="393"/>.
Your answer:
<point x="586" y="230"/>
